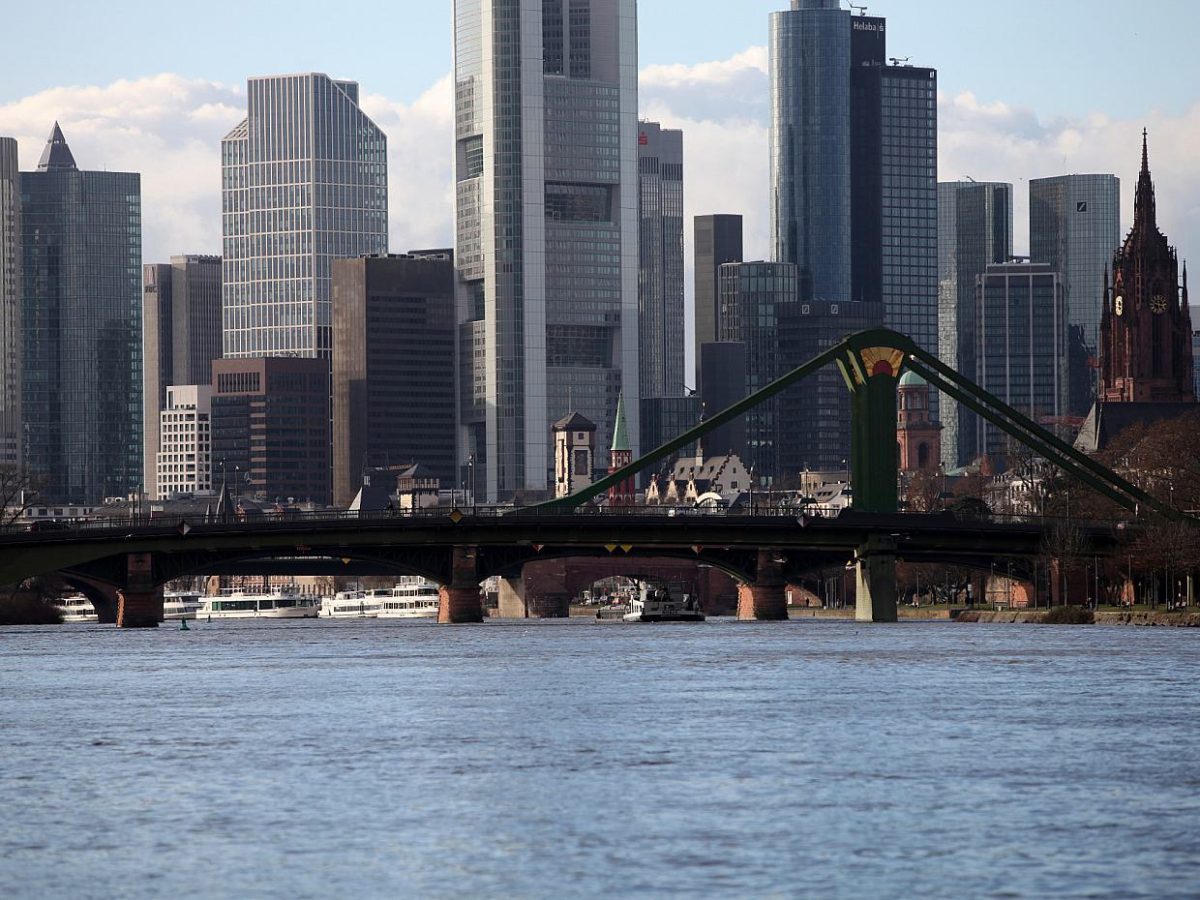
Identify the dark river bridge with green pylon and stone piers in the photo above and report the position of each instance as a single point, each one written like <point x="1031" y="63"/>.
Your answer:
<point x="461" y="548"/>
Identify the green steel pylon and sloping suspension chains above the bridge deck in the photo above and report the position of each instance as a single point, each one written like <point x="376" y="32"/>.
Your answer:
<point x="872" y="364"/>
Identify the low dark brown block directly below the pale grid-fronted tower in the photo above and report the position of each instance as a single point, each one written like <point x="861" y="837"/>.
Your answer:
<point x="271" y="429"/>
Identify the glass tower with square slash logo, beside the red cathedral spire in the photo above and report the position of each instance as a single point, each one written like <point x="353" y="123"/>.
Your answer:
<point x="1076" y="229"/>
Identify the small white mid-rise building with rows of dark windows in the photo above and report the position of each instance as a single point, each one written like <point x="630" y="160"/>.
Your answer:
<point x="184" y="465"/>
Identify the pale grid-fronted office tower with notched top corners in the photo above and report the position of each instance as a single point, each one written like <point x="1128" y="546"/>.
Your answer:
<point x="304" y="183"/>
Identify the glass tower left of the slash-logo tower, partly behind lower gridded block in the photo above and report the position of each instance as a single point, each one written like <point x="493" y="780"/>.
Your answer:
<point x="975" y="230"/>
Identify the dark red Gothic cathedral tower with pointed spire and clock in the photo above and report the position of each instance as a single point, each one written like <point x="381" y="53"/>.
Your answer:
<point x="1147" y="363"/>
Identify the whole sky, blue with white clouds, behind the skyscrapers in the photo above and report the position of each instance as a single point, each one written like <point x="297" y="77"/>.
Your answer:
<point x="1027" y="89"/>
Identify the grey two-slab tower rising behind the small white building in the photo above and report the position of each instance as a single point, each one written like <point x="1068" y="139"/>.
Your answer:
<point x="181" y="338"/>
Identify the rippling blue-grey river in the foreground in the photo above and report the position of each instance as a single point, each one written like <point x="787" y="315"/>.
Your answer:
<point x="578" y="759"/>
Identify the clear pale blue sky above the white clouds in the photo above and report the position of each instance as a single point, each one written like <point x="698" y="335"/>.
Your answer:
<point x="1060" y="57"/>
